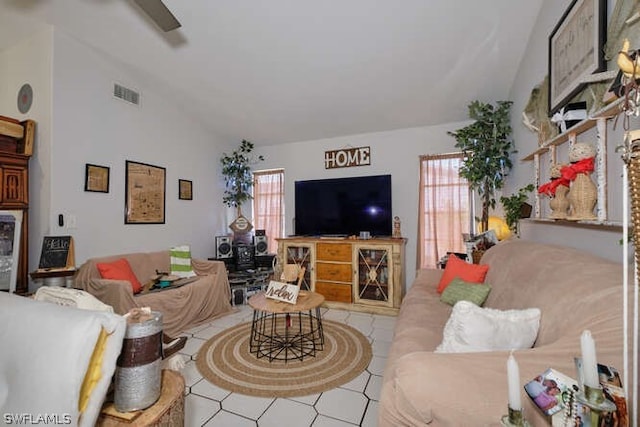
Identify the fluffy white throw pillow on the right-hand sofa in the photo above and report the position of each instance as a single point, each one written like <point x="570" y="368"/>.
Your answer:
<point x="471" y="328"/>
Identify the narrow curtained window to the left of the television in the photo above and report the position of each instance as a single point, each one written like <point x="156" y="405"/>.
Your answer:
<point x="268" y="204"/>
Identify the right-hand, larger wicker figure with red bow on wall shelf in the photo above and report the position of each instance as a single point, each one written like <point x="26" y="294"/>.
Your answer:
<point x="583" y="193"/>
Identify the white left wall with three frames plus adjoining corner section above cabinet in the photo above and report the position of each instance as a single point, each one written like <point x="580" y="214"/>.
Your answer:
<point x="79" y="122"/>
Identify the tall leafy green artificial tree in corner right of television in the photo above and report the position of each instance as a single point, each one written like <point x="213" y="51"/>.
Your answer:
<point x="487" y="146"/>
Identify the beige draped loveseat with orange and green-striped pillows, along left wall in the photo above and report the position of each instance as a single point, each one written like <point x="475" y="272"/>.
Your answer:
<point x="182" y="308"/>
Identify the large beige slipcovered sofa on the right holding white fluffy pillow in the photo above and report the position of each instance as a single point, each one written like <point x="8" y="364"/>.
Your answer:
<point x="574" y="291"/>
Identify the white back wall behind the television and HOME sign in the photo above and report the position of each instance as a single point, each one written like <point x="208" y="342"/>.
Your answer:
<point x="394" y="152"/>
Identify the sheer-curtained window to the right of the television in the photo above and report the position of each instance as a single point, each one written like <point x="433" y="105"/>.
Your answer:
<point x="444" y="209"/>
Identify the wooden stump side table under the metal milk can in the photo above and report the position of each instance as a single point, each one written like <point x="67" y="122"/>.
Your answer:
<point x="167" y="411"/>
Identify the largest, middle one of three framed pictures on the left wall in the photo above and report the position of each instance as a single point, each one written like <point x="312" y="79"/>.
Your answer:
<point x="145" y="193"/>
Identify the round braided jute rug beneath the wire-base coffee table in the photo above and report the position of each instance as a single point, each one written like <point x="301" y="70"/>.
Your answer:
<point x="225" y="361"/>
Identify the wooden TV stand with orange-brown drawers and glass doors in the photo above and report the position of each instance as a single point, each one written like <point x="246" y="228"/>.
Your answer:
<point x="353" y="274"/>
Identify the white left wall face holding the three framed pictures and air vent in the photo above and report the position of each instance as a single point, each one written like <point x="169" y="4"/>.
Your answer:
<point x="90" y="126"/>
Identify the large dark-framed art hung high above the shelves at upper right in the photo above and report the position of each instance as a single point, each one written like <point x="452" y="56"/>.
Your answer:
<point x="576" y="50"/>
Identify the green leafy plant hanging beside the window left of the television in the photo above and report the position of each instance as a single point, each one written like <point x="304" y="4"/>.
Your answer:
<point x="236" y="169"/>
